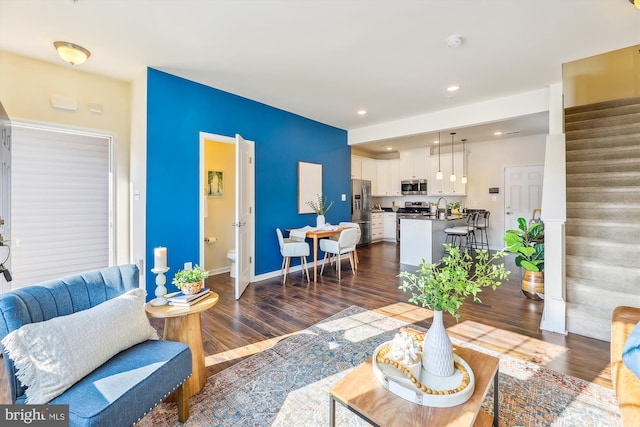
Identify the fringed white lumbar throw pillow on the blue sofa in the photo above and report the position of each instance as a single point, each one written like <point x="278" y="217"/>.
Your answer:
<point x="53" y="355"/>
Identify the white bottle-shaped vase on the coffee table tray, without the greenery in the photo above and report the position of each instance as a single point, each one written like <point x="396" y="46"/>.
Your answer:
<point x="437" y="350"/>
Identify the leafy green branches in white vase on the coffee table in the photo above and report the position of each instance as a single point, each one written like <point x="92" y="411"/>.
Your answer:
<point x="444" y="287"/>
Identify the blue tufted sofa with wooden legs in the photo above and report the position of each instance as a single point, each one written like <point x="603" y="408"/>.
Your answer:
<point x="165" y="364"/>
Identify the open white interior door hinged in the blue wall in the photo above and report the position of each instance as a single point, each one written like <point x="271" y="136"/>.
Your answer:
<point x="244" y="214"/>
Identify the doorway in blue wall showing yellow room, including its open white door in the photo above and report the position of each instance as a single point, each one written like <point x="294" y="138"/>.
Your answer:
<point x="227" y="183"/>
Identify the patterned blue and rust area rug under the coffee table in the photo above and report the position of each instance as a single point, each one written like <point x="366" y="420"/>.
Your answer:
<point x="288" y="384"/>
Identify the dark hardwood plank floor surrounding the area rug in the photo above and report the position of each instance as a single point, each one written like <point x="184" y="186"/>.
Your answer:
<point x="505" y="321"/>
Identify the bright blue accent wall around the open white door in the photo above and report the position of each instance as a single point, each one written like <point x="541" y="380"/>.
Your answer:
<point x="177" y="111"/>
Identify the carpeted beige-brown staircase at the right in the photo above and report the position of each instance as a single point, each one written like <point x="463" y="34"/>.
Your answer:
<point x="603" y="213"/>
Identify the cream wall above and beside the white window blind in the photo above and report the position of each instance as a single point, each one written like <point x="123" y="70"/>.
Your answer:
<point x="26" y="87"/>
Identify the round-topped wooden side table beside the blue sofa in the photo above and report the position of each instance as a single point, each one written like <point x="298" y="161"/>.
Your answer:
<point x="183" y="324"/>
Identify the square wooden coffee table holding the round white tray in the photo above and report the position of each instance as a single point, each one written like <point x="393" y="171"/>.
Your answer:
<point x="365" y="396"/>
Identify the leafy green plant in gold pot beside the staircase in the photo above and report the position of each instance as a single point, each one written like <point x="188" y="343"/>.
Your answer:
<point x="527" y="242"/>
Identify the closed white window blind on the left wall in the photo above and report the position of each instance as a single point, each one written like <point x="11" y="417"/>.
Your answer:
<point x="60" y="204"/>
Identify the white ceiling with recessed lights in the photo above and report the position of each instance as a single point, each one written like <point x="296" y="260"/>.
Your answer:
<point x="326" y="59"/>
